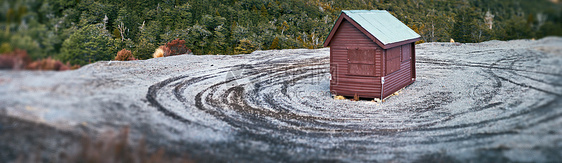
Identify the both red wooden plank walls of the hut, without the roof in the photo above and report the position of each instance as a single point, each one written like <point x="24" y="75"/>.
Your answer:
<point x="350" y="61"/>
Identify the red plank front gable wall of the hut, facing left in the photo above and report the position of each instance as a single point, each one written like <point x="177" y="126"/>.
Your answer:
<point x="346" y="38"/>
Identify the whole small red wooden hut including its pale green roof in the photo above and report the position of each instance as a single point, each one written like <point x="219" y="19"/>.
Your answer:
<point x="372" y="54"/>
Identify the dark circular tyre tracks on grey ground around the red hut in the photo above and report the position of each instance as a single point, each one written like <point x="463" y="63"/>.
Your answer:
<point x="287" y="104"/>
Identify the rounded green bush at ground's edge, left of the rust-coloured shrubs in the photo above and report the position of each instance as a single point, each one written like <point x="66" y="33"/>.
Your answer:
<point x="89" y="44"/>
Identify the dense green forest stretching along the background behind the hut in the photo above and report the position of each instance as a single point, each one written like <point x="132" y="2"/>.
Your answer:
<point x="78" y="32"/>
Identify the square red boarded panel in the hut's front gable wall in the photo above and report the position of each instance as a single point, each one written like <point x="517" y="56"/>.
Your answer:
<point x="361" y="61"/>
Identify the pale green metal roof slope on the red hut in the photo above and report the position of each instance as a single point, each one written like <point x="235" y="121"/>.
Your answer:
<point x="382" y="25"/>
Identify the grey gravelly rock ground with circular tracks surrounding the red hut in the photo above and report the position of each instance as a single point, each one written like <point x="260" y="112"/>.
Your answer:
<point x="491" y="101"/>
